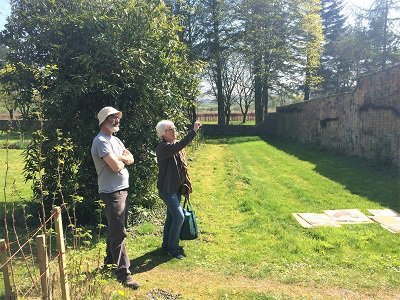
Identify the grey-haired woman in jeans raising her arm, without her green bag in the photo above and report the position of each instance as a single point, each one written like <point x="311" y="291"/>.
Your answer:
<point x="172" y="176"/>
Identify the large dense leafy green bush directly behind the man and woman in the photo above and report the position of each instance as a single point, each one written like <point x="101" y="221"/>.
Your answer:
<point x="83" y="55"/>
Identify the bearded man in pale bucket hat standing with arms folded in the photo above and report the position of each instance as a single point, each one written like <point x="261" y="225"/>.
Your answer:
<point x="110" y="158"/>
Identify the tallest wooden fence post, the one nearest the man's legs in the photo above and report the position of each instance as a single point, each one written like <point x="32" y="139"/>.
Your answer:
<point x="61" y="250"/>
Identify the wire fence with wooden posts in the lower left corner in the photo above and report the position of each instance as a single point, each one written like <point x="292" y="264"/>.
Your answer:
<point x="23" y="267"/>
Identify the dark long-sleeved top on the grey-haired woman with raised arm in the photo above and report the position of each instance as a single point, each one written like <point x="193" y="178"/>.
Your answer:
<point x="169" y="179"/>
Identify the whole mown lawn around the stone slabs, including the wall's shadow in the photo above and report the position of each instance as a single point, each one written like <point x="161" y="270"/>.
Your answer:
<point x="250" y="246"/>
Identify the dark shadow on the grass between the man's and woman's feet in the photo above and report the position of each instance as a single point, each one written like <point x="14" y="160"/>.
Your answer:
<point x="149" y="261"/>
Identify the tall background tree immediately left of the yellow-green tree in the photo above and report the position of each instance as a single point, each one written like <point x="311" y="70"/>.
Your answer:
<point x="267" y="27"/>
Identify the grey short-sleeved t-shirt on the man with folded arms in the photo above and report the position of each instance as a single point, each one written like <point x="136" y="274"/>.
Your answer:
<point x="108" y="180"/>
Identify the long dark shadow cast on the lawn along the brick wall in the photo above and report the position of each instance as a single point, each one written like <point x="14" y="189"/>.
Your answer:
<point x="378" y="183"/>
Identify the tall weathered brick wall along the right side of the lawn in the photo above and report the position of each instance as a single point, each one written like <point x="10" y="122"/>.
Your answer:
<point x="365" y="122"/>
